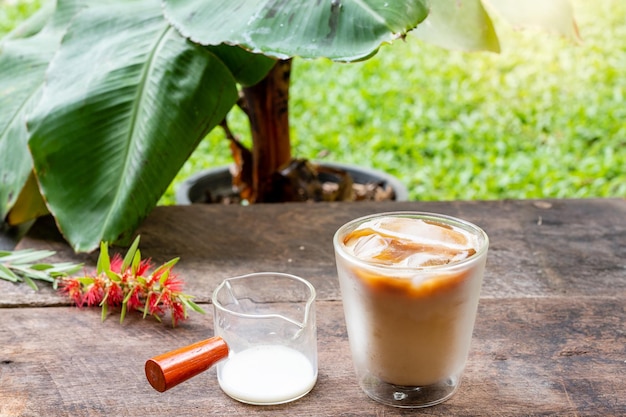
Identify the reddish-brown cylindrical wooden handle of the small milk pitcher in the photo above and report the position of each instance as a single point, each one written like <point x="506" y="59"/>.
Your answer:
<point x="170" y="369"/>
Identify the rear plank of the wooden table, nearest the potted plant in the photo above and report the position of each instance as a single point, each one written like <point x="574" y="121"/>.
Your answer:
<point x="537" y="248"/>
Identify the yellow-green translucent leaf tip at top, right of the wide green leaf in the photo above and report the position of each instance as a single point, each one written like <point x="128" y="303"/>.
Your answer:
<point x="463" y="25"/>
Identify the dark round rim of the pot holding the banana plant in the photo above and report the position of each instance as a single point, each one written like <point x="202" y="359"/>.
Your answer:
<point x="219" y="182"/>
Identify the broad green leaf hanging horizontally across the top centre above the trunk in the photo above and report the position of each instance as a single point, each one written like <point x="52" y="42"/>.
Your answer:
<point x="343" y="30"/>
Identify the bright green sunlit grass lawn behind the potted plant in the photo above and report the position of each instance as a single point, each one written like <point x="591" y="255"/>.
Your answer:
<point x="545" y="118"/>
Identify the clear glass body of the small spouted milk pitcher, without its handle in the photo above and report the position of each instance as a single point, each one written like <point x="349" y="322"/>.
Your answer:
<point x="268" y="322"/>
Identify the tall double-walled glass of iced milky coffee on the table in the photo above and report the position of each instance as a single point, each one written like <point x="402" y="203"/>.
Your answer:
<point x="410" y="284"/>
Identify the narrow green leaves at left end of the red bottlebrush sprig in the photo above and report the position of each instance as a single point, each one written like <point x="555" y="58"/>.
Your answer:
<point x="25" y="266"/>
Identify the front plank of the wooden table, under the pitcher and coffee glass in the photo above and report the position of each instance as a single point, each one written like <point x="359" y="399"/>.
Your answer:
<point x="529" y="357"/>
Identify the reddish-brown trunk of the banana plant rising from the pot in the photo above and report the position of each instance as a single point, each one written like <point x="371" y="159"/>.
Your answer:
<point x="267" y="105"/>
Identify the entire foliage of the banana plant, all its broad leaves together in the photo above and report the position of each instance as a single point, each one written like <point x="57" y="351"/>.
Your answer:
<point x="103" y="101"/>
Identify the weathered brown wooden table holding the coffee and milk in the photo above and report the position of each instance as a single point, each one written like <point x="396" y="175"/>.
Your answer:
<point x="550" y="337"/>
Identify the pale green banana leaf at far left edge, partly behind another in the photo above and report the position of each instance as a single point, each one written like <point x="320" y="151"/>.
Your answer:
<point x="24" y="57"/>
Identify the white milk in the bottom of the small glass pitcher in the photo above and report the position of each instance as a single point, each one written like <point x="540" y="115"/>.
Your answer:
<point x="267" y="374"/>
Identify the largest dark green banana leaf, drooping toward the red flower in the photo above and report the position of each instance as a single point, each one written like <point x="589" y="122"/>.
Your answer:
<point x="126" y="101"/>
